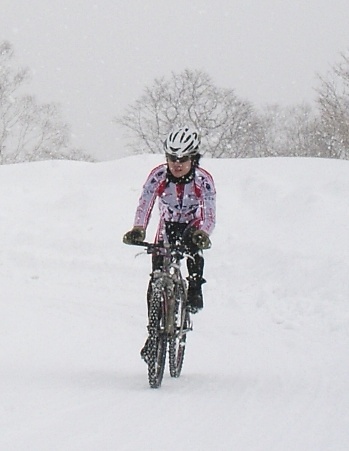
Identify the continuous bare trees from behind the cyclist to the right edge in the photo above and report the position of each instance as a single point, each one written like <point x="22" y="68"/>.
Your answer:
<point x="232" y="127"/>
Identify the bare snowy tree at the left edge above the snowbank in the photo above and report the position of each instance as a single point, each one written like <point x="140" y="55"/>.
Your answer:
<point x="29" y="131"/>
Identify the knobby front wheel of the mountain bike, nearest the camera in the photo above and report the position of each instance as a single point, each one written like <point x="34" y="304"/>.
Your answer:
<point x="157" y="338"/>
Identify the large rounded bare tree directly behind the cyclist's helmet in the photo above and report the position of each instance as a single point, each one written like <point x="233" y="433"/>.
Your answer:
<point x="228" y="125"/>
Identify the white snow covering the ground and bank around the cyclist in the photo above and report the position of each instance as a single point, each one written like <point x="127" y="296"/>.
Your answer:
<point x="266" y="366"/>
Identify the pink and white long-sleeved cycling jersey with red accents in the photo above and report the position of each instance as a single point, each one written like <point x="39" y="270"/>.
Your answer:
<point x="193" y="202"/>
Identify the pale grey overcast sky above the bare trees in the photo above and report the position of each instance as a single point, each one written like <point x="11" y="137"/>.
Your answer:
<point x="95" y="57"/>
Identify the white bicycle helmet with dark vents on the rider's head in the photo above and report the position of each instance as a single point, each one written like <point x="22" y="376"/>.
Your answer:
<point x="183" y="142"/>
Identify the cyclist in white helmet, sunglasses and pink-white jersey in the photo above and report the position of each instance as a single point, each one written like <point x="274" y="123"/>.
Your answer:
<point x="187" y="198"/>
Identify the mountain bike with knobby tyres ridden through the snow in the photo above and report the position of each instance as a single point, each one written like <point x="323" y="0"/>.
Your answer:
<point x="169" y="320"/>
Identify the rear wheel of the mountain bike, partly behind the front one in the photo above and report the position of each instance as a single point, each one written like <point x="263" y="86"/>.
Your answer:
<point x="177" y="341"/>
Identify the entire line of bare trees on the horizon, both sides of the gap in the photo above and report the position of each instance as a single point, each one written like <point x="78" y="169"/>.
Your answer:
<point x="231" y="127"/>
